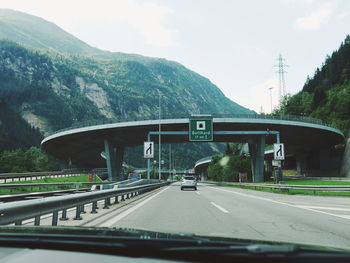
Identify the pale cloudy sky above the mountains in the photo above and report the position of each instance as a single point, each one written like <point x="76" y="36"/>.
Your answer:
<point x="233" y="43"/>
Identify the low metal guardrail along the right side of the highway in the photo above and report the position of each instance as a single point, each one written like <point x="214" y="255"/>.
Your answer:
<point x="337" y="188"/>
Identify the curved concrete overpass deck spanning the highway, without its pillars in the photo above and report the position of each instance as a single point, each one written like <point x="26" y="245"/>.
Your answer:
<point x="83" y="146"/>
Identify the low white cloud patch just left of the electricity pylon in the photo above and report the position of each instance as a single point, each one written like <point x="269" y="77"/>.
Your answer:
<point x="258" y="96"/>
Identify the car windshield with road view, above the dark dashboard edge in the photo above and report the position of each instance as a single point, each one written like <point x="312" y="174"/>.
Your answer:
<point x="212" y="118"/>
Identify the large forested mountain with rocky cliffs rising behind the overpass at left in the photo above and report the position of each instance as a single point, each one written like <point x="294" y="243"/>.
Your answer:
<point x="54" y="80"/>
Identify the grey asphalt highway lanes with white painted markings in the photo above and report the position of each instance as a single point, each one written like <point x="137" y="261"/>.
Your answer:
<point x="232" y="212"/>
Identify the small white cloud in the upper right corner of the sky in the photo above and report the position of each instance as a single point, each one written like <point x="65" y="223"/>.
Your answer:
<point x="315" y="19"/>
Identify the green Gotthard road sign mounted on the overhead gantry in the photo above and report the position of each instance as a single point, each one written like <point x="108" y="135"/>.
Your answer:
<point x="201" y="129"/>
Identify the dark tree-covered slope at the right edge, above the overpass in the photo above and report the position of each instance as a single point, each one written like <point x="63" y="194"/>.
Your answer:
<point x="326" y="95"/>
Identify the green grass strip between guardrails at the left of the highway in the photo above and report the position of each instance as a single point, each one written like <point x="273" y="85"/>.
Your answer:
<point x="72" y="179"/>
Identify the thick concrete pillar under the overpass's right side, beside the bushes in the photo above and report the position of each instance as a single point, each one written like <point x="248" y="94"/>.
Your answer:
<point x="256" y="150"/>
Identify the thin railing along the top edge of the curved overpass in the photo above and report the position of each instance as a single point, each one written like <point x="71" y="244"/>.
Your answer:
<point x="187" y="115"/>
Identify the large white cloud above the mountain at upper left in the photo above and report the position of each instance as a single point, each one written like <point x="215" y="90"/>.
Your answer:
<point x="146" y="18"/>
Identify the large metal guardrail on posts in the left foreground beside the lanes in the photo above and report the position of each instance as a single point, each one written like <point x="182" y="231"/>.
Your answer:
<point x="17" y="212"/>
